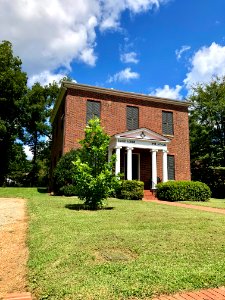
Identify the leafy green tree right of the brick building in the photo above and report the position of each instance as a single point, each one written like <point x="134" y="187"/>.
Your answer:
<point x="207" y="122"/>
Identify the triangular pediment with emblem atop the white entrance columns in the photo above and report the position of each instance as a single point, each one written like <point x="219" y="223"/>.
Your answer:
<point x="142" y="134"/>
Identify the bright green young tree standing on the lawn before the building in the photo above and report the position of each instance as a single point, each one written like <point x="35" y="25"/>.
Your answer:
<point x="94" y="176"/>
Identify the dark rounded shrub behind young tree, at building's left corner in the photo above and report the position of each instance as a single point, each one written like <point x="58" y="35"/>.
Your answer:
<point x="63" y="178"/>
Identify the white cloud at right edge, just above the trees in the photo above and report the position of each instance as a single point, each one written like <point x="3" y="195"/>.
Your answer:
<point x="206" y="63"/>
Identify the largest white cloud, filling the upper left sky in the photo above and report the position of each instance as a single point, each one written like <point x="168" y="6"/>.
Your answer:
<point x="48" y="35"/>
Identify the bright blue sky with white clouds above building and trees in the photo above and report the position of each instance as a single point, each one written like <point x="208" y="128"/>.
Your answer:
<point x="158" y="47"/>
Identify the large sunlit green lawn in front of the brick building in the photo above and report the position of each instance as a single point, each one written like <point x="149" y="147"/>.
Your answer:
<point x="132" y="251"/>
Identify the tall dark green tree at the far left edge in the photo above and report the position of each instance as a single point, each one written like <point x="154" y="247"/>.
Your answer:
<point x="12" y="89"/>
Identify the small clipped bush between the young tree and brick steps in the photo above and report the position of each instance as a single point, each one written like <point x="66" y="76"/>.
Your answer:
<point x="130" y="190"/>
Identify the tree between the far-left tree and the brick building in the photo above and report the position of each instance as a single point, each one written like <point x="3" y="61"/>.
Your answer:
<point x="37" y="130"/>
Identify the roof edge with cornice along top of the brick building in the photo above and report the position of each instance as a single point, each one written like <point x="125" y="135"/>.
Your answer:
<point x="70" y="85"/>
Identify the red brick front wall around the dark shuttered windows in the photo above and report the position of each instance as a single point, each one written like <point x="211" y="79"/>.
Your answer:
<point x="113" y="119"/>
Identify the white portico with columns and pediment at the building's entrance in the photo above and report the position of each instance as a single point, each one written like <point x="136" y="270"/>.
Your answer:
<point x="145" y="139"/>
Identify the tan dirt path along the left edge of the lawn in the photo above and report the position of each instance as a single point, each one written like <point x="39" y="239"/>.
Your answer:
<point x="13" y="250"/>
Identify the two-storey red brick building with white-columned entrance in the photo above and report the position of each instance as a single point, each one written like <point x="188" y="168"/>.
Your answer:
<point x="150" y="135"/>
